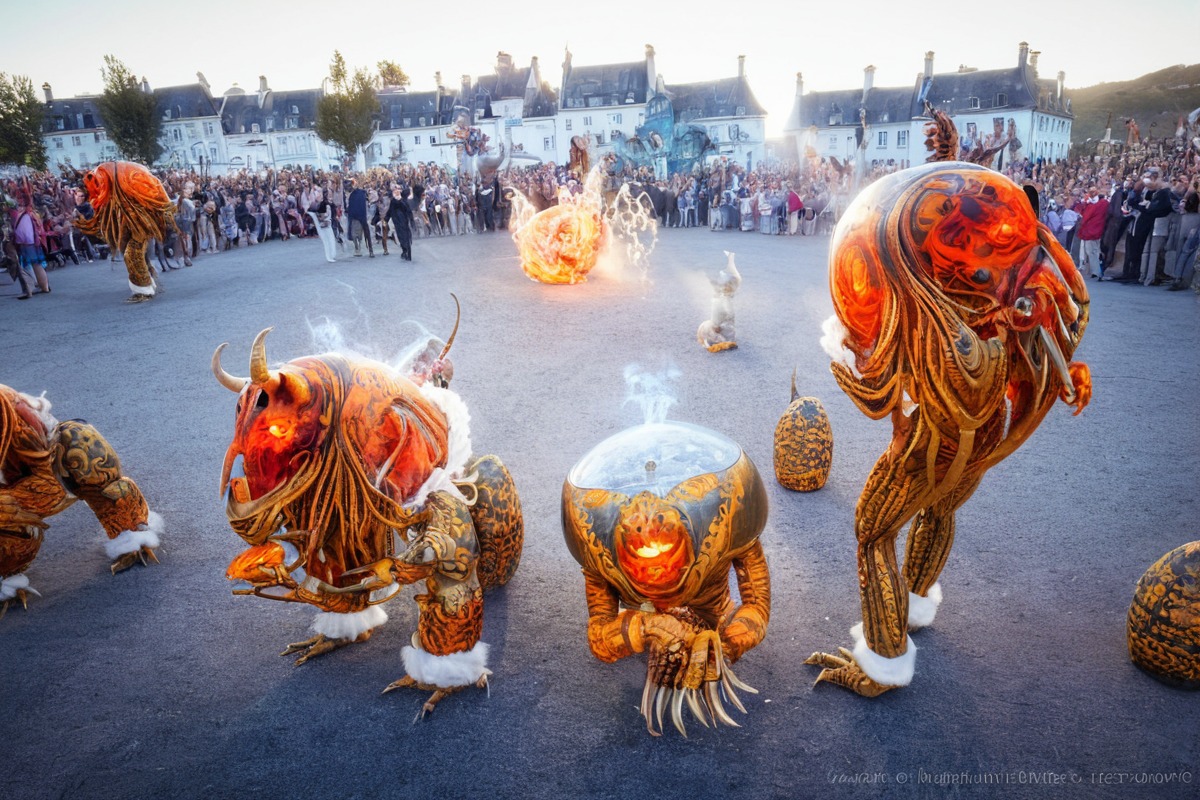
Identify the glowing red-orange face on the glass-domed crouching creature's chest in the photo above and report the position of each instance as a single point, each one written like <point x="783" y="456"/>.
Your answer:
<point x="653" y="545"/>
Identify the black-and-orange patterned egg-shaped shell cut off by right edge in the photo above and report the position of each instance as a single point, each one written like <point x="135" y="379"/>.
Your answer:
<point x="1165" y="619"/>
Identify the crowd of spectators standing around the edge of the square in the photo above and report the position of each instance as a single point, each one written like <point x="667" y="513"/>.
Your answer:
<point x="219" y="213"/>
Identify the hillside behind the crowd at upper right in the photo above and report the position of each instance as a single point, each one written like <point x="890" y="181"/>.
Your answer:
<point x="1156" y="101"/>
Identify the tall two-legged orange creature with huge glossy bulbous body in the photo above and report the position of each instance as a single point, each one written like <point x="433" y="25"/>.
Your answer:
<point x="957" y="315"/>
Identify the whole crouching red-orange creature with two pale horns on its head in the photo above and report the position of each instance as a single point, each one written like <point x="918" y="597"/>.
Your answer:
<point x="350" y="480"/>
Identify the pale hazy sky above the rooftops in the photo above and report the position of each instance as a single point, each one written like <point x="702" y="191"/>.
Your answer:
<point x="292" y="41"/>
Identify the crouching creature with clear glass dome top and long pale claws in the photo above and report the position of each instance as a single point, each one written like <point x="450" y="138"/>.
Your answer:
<point x="658" y="515"/>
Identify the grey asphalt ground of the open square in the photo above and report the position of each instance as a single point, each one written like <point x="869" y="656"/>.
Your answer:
<point x="159" y="683"/>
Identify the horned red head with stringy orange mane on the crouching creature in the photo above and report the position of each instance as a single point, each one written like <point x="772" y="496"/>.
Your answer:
<point x="332" y="447"/>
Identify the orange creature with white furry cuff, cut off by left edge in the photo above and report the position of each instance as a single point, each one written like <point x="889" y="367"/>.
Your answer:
<point x="46" y="467"/>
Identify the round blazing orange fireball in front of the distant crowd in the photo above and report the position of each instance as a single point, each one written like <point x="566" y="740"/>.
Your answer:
<point x="562" y="244"/>
